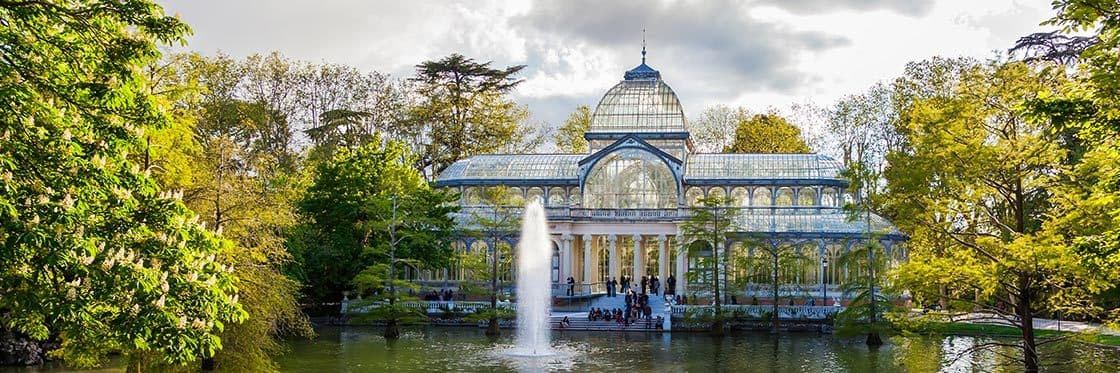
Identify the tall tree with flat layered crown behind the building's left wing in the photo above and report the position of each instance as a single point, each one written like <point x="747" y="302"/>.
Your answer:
<point x="463" y="111"/>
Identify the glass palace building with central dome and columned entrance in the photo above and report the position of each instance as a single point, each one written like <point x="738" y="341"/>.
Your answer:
<point x="637" y="188"/>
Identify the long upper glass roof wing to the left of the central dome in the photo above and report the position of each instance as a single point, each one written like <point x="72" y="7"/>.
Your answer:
<point x="518" y="167"/>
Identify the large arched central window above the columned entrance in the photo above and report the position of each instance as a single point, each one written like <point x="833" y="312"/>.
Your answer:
<point x="630" y="179"/>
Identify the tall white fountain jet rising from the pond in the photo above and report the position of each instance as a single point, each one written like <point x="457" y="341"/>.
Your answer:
<point x="535" y="291"/>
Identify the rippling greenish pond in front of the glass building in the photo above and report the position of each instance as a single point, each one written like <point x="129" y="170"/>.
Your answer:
<point x="469" y="350"/>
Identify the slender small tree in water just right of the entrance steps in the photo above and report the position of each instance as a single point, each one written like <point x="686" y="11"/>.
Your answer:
<point x="711" y="222"/>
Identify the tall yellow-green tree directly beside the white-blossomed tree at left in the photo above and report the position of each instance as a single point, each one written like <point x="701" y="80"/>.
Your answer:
<point x="251" y="203"/>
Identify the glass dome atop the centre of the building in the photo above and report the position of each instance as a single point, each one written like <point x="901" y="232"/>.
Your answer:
<point x="639" y="105"/>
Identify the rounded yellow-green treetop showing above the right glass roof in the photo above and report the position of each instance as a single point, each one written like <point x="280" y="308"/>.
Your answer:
<point x="767" y="134"/>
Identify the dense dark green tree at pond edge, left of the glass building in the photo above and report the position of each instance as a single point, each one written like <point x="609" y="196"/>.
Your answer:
<point x="348" y="209"/>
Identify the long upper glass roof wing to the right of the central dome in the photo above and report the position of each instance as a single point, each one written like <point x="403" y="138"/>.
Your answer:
<point x="761" y="167"/>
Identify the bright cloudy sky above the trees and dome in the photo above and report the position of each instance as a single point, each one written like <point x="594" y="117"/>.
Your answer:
<point x="753" y="53"/>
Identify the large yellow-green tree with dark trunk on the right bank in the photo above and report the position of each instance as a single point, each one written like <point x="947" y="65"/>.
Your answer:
<point x="987" y="171"/>
